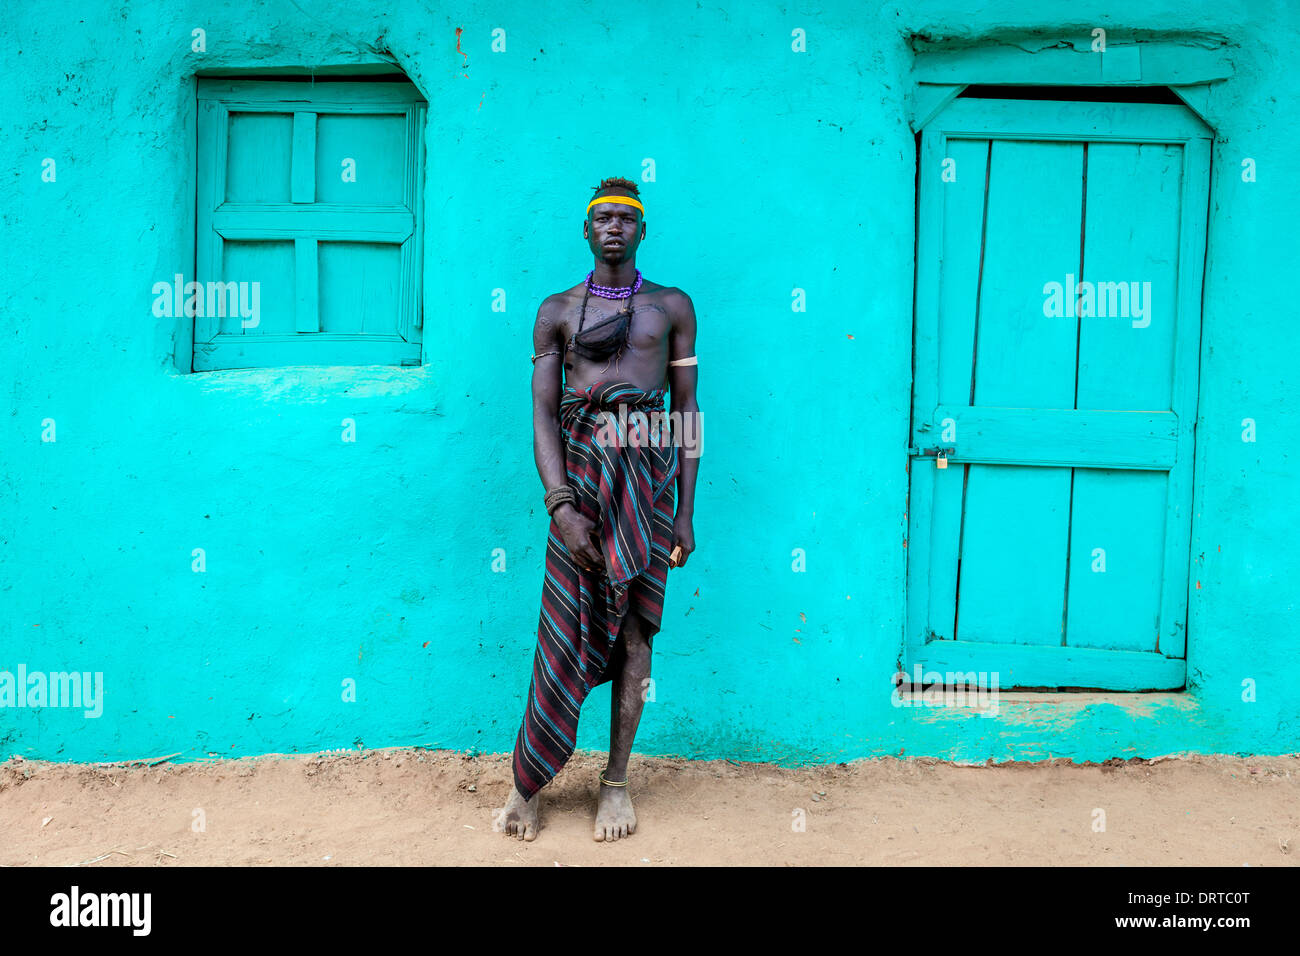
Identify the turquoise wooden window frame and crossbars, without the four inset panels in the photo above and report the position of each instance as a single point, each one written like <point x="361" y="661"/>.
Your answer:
<point x="306" y="223"/>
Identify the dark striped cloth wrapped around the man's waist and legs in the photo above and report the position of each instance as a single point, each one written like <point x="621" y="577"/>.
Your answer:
<point x="625" y="478"/>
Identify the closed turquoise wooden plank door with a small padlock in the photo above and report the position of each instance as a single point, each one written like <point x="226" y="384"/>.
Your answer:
<point x="1054" y="548"/>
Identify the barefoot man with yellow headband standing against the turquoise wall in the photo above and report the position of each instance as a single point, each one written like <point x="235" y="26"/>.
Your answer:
<point x="610" y="494"/>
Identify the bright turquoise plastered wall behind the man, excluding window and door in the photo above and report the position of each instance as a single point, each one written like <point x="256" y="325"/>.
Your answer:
<point x="372" y="561"/>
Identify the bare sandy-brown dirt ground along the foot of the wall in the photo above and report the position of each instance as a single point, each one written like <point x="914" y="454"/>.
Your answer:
<point x="417" y="807"/>
